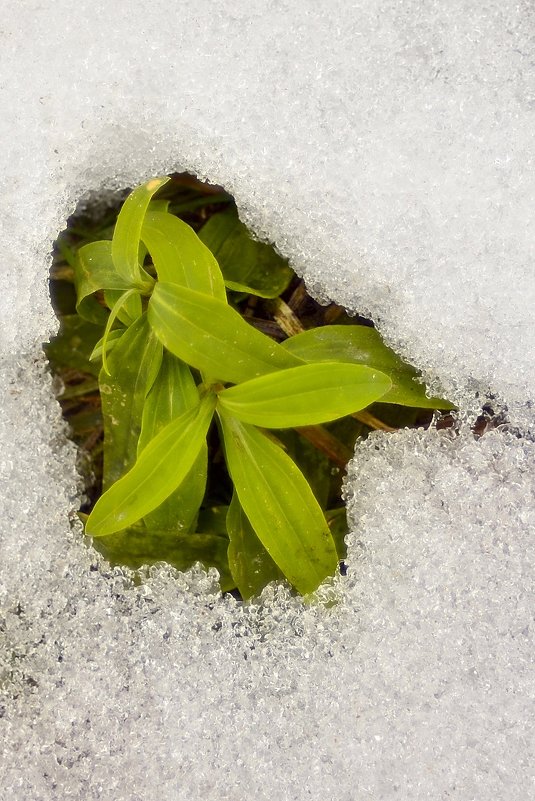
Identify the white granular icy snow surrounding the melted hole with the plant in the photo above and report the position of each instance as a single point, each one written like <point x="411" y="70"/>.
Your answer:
<point x="387" y="149"/>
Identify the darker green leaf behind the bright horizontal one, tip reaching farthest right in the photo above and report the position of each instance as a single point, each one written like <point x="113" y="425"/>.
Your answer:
<point x="361" y="344"/>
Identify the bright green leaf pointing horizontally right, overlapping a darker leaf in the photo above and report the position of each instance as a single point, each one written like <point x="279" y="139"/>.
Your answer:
<point x="304" y="396"/>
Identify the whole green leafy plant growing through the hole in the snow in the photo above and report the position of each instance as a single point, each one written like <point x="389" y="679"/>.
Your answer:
<point x="177" y="354"/>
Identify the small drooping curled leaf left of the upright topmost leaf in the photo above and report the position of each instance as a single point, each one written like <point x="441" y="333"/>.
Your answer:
<point x="94" y="271"/>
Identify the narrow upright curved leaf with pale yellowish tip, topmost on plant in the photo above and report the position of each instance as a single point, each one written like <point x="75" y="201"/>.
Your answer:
<point x="127" y="233"/>
